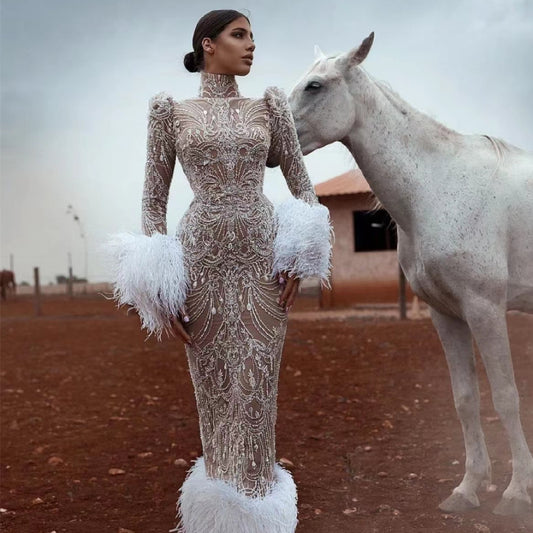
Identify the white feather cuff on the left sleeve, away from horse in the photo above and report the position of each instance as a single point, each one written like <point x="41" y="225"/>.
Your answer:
<point x="148" y="273"/>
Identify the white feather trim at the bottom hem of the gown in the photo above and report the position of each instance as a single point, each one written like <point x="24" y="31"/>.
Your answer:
<point x="208" y="505"/>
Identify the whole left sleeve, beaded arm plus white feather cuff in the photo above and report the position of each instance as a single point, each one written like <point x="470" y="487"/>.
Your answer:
<point x="147" y="270"/>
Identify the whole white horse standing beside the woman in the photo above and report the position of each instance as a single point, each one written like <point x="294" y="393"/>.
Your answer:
<point x="463" y="205"/>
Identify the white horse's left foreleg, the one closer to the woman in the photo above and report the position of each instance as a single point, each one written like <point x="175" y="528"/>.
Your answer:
<point x="456" y="340"/>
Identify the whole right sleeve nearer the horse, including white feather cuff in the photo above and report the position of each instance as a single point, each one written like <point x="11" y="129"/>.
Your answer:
<point x="304" y="234"/>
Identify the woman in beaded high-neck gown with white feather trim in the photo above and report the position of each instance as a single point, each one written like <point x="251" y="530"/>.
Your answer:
<point x="225" y="282"/>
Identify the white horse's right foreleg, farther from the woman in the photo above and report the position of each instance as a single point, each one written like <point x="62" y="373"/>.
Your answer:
<point x="489" y="327"/>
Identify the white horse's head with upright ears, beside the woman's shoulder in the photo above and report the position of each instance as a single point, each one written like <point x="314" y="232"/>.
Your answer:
<point x="323" y="101"/>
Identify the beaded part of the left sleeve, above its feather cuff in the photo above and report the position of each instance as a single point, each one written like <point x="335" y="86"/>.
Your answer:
<point x="160" y="162"/>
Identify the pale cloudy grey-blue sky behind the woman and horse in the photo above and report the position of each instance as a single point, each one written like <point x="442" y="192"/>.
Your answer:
<point x="76" y="76"/>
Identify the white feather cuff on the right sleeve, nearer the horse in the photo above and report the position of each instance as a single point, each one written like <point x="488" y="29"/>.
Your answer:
<point x="303" y="240"/>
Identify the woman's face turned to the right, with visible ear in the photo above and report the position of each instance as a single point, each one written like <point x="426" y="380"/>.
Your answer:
<point x="232" y="51"/>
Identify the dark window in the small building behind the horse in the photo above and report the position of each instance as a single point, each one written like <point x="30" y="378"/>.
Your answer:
<point x="374" y="230"/>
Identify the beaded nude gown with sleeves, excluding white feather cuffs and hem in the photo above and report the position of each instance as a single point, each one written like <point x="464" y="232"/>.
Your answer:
<point x="223" y="142"/>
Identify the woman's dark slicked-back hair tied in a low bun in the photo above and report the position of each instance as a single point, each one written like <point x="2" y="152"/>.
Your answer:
<point x="210" y="25"/>
